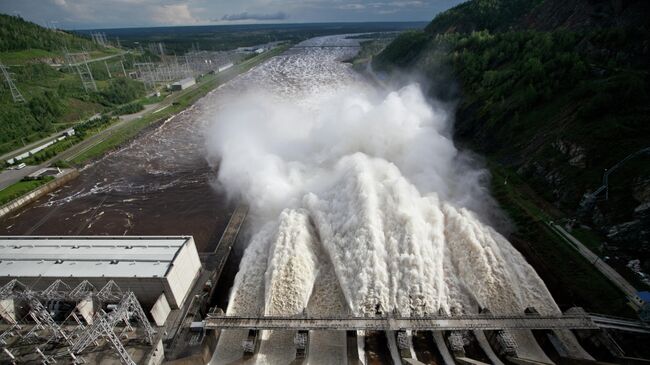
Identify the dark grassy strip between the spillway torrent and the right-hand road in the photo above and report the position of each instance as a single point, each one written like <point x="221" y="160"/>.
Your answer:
<point x="571" y="278"/>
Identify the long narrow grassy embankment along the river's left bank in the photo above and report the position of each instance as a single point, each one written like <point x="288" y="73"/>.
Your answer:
<point x="180" y="101"/>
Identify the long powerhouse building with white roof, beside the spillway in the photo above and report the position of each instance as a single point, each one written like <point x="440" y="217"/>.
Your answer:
<point x="160" y="271"/>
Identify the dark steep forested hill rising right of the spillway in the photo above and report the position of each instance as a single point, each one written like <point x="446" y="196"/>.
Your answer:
<point x="554" y="93"/>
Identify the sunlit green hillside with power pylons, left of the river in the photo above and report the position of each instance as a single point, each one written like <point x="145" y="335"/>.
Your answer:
<point x="55" y="97"/>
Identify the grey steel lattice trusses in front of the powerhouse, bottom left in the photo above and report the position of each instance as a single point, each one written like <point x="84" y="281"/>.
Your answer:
<point x="67" y="339"/>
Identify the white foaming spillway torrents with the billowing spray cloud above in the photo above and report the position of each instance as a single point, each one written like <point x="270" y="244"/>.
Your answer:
<point x="363" y="202"/>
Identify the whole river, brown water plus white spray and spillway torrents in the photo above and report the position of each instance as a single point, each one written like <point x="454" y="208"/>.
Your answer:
<point x="360" y="203"/>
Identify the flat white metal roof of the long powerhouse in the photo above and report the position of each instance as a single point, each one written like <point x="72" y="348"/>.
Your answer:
<point x="99" y="256"/>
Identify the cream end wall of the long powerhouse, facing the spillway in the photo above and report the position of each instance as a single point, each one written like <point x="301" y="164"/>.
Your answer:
<point x="181" y="275"/>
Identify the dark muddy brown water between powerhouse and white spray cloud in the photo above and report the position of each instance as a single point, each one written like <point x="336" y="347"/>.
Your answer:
<point x="158" y="184"/>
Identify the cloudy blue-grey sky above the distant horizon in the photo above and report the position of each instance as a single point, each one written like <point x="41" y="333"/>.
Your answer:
<point x="91" y="14"/>
